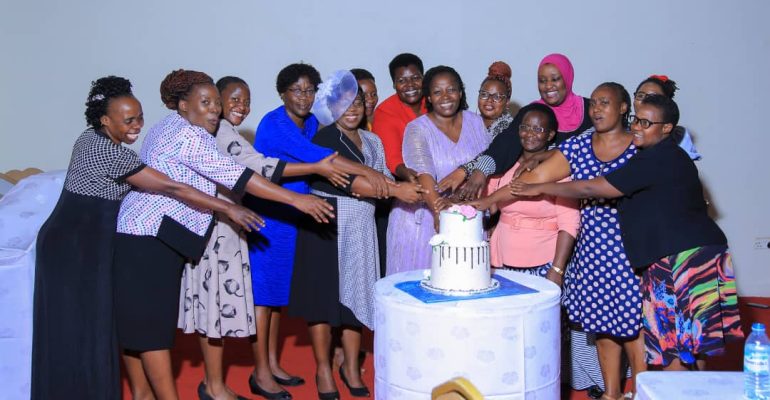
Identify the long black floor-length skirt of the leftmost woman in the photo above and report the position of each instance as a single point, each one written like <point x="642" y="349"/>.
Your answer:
<point x="74" y="347"/>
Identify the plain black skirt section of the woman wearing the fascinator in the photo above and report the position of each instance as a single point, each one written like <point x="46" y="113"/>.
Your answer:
<point x="315" y="290"/>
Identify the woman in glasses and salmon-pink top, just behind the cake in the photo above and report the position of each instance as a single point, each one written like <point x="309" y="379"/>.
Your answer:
<point x="535" y="236"/>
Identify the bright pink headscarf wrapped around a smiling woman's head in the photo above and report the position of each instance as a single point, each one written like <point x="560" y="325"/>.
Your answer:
<point x="570" y="112"/>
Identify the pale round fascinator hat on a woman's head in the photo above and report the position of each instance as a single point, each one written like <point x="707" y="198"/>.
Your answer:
<point x="334" y="96"/>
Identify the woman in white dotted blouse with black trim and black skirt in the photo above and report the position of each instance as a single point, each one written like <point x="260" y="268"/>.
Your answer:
<point x="156" y="234"/>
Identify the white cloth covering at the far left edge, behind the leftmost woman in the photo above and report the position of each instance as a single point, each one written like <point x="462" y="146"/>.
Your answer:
<point x="23" y="210"/>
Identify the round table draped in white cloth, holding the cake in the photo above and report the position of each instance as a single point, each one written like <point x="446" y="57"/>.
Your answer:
<point x="508" y="347"/>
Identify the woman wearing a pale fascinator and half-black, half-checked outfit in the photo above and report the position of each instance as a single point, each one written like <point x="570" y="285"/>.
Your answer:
<point x="337" y="264"/>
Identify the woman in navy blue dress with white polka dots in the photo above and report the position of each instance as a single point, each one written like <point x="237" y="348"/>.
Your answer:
<point x="601" y="292"/>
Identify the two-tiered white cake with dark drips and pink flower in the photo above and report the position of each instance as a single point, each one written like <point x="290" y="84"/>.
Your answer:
<point x="460" y="258"/>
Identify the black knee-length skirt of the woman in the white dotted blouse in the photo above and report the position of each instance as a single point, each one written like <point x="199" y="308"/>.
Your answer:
<point x="147" y="279"/>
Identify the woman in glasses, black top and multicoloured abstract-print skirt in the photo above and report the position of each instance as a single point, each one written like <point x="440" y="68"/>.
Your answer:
<point x="688" y="284"/>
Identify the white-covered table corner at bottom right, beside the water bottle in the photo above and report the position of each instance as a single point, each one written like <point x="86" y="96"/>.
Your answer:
<point x="705" y="385"/>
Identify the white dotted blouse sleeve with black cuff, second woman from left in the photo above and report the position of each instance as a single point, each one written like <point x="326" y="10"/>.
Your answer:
<point x="198" y="151"/>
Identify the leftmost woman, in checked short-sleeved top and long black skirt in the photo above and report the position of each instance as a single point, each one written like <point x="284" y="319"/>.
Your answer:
<point x="74" y="351"/>
